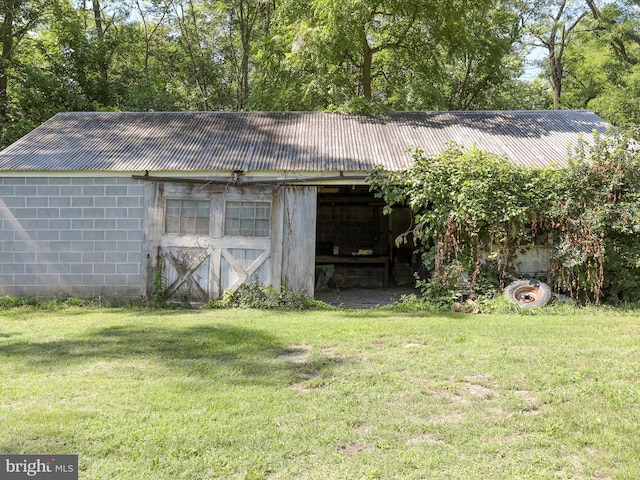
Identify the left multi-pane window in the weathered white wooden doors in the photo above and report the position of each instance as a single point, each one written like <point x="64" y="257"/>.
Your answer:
<point x="187" y="217"/>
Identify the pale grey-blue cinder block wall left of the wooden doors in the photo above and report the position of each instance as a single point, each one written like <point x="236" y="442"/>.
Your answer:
<point x="71" y="236"/>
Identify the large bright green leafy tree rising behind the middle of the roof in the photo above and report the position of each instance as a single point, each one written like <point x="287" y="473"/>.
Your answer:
<point x="376" y="54"/>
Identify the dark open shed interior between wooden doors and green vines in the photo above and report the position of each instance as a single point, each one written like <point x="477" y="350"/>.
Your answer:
<point x="355" y="240"/>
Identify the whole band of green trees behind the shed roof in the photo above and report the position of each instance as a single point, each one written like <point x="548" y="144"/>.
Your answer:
<point x="338" y="55"/>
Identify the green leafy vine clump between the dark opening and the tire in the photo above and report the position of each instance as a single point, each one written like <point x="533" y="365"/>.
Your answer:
<point x="468" y="205"/>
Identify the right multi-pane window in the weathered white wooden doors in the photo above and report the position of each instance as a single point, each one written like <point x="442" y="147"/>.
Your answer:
<point x="247" y="219"/>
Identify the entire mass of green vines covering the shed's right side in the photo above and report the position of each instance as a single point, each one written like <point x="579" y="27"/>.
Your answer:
<point x="475" y="212"/>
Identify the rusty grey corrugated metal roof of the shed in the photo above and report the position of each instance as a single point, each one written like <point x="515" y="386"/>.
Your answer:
<point x="291" y="141"/>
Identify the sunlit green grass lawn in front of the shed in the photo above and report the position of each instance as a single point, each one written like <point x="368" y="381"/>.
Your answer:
<point x="142" y="394"/>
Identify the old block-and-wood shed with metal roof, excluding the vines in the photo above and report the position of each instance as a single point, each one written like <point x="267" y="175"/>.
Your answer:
<point x="122" y="205"/>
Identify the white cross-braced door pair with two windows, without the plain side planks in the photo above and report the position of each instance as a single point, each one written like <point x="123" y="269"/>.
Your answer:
<point x="201" y="264"/>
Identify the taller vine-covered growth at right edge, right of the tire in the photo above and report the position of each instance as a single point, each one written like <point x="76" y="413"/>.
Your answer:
<point x="596" y="222"/>
